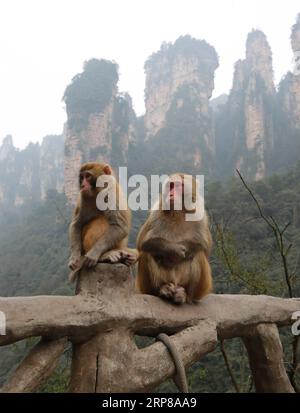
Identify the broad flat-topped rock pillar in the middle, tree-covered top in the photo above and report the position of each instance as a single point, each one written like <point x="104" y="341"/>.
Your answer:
<point x="179" y="84"/>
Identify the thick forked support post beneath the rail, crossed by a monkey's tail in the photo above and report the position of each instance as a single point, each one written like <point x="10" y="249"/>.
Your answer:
<point x="102" y="365"/>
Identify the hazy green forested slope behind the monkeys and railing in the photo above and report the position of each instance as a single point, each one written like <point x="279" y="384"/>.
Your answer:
<point x="34" y="253"/>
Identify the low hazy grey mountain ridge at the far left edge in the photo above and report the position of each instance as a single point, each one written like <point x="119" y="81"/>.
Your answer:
<point x="27" y="175"/>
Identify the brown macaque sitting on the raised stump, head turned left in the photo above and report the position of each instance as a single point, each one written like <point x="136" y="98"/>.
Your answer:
<point x="98" y="235"/>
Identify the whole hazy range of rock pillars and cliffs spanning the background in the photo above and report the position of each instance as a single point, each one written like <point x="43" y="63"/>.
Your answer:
<point x="255" y="128"/>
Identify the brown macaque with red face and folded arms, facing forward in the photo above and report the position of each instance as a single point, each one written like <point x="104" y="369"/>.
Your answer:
<point x="173" y="261"/>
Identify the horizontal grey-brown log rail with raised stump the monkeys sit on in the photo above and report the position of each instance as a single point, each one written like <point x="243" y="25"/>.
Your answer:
<point x="115" y="304"/>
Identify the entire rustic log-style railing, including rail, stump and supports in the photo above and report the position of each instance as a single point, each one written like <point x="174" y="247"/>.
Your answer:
<point x="105" y="314"/>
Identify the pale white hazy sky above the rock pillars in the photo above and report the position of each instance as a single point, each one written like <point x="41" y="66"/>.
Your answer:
<point x="43" y="44"/>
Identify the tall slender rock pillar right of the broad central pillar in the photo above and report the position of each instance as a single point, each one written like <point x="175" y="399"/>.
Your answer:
<point x="246" y="133"/>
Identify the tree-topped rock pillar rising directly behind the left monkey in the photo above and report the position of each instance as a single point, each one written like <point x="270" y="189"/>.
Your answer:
<point x="102" y="133"/>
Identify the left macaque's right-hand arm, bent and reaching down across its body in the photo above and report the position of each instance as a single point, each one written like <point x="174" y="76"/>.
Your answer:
<point x="118" y="230"/>
